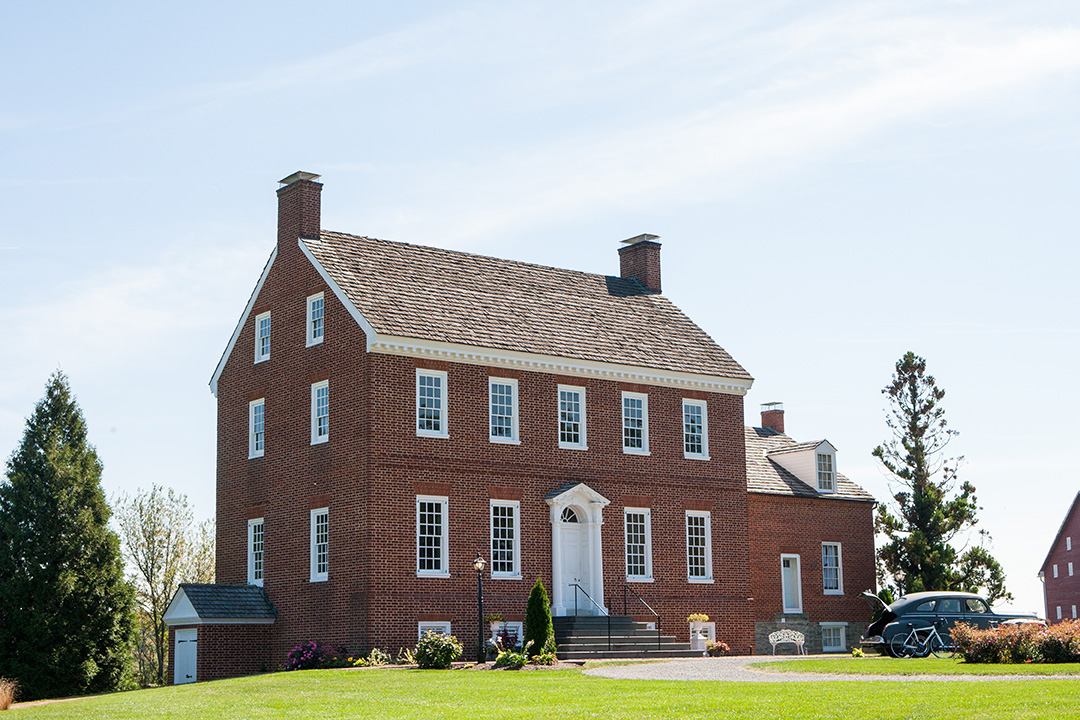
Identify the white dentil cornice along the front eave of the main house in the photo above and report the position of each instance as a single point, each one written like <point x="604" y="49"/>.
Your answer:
<point x="537" y="363"/>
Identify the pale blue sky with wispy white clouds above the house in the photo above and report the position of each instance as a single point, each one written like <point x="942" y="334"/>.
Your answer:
<point x="834" y="184"/>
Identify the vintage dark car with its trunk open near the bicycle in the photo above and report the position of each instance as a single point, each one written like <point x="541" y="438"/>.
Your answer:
<point x="926" y="609"/>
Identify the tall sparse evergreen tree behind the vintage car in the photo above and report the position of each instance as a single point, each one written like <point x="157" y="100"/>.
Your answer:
<point x="928" y="515"/>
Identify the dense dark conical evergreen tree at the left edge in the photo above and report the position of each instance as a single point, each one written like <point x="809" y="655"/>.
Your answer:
<point x="66" y="614"/>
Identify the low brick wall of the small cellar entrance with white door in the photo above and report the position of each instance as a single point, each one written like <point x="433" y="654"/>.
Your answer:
<point x="228" y="651"/>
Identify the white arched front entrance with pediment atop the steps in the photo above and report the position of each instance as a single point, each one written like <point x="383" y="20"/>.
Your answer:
<point x="577" y="515"/>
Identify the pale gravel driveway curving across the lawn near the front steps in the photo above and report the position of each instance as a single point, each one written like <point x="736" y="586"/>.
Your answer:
<point x="740" y="670"/>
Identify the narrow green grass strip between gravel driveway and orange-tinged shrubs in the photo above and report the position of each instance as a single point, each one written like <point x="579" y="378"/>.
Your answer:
<point x="910" y="667"/>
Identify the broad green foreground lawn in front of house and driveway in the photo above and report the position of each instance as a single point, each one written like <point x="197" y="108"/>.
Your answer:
<point x="544" y="696"/>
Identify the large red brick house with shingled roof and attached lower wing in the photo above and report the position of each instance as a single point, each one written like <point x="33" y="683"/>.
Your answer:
<point x="387" y="412"/>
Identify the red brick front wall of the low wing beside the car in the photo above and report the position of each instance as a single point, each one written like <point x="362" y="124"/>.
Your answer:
<point x="799" y="526"/>
